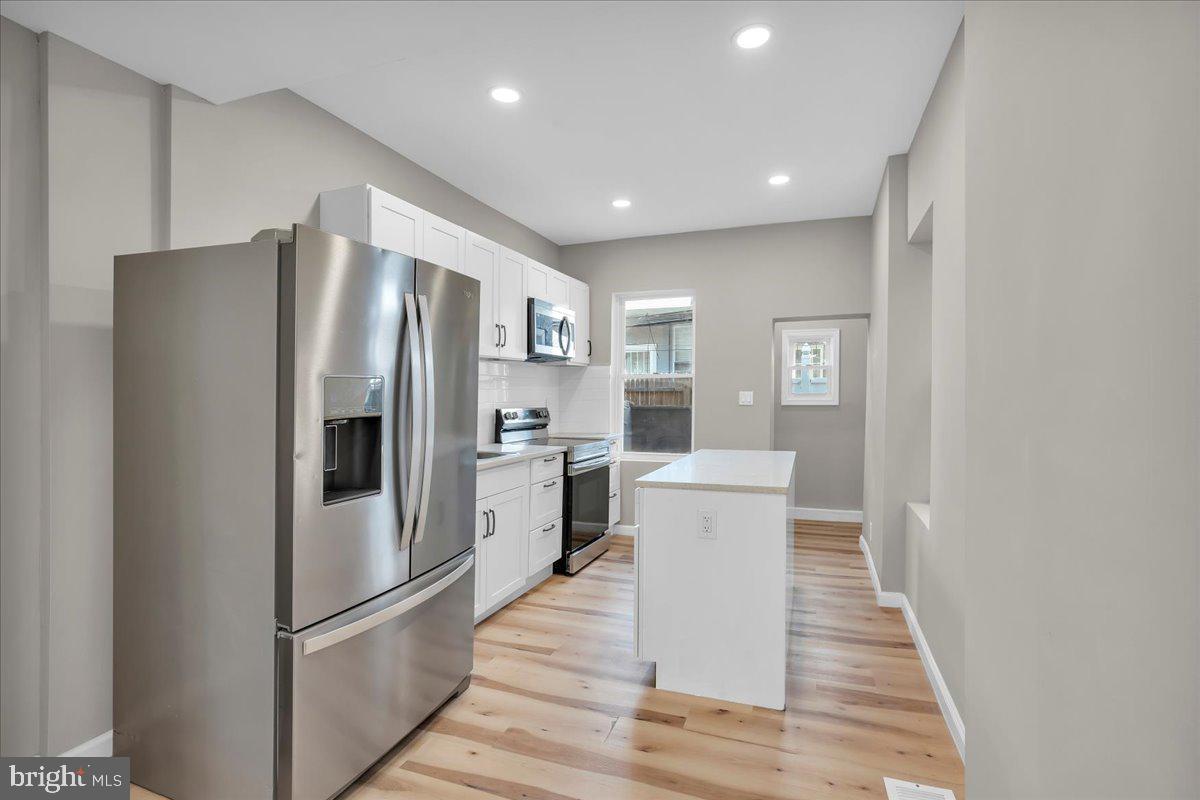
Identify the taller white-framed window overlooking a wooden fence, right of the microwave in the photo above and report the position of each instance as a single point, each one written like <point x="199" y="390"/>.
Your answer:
<point x="657" y="372"/>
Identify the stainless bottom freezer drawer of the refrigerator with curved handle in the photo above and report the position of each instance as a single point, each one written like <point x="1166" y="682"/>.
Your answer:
<point x="362" y="682"/>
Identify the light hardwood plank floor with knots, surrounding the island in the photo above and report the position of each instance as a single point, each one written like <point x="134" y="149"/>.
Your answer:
<point x="560" y="708"/>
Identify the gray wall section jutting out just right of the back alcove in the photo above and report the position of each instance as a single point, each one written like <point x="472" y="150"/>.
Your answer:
<point x="899" y="402"/>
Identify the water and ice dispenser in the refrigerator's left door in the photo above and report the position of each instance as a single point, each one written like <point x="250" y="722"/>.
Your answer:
<point x="353" y="438"/>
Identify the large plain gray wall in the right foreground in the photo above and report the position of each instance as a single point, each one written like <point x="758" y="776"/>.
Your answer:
<point x="1083" y="172"/>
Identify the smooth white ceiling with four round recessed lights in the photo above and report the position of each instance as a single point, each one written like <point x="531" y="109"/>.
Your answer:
<point x="644" y="100"/>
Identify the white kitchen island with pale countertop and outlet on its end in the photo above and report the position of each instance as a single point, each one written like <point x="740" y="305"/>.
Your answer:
<point x="713" y="586"/>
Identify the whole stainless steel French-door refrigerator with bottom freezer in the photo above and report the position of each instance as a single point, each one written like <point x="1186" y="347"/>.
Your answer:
<point x="295" y="437"/>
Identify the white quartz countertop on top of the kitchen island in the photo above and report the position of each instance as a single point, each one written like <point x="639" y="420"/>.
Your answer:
<point x="759" y="472"/>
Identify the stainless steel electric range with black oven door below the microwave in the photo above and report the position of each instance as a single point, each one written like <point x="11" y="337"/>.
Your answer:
<point x="586" y="500"/>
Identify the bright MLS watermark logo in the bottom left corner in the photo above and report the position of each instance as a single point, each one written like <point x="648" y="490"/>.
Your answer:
<point x="101" y="779"/>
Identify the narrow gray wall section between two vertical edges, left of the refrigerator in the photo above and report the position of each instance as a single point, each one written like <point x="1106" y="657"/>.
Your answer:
<point x="105" y="179"/>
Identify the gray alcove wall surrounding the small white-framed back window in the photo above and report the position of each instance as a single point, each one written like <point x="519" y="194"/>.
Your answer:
<point x="827" y="440"/>
